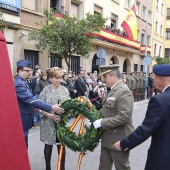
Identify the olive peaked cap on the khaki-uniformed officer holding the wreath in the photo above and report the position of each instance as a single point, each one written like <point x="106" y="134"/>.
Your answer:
<point x="104" y="69"/>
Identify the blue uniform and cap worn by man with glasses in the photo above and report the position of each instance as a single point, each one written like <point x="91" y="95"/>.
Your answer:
<point x="27" y="101"/>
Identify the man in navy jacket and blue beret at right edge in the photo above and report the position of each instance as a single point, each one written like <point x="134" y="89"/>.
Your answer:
<point x="155" y="124"/>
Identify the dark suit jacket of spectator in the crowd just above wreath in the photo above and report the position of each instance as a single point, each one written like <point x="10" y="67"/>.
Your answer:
<point x="80" y="86"/>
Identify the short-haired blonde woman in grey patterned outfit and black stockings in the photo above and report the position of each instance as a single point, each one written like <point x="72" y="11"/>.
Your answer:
<point x="52" y="93"/>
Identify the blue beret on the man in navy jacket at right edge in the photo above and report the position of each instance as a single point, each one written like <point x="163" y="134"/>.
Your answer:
<point x="162" y="70"/>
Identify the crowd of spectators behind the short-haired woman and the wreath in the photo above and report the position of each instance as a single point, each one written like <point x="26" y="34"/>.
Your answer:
<point x="82" y="84"/>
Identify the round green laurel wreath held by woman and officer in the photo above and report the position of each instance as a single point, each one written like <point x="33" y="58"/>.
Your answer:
<point x="81" y="142"/>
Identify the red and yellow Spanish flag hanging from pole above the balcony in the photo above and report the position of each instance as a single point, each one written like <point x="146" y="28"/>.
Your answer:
<point x="130" y="24"/>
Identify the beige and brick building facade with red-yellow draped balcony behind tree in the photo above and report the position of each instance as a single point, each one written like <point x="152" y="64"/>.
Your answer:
<point x="117" y="48"/>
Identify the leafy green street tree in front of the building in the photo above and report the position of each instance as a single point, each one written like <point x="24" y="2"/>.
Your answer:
<point x="66" y="36"/>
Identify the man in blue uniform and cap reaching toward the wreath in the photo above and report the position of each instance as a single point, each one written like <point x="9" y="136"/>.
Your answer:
<point x="26" y="100"/>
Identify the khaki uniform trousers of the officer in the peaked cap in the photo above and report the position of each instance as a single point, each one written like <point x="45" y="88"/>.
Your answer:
<point x="108" y="157"/>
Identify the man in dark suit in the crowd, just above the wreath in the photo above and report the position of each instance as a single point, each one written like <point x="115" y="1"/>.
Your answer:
<point x="81" y="85"/>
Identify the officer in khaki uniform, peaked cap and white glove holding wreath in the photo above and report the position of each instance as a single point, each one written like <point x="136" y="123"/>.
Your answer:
<point x="116" y="123"/>
